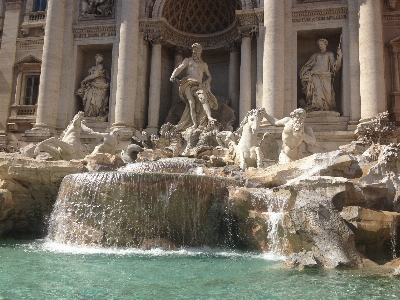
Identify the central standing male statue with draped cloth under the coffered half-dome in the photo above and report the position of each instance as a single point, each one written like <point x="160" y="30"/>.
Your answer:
<point x="194" y="91"/>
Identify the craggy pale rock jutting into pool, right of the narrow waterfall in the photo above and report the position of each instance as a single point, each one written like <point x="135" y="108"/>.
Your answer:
<point x="315" y="219"/>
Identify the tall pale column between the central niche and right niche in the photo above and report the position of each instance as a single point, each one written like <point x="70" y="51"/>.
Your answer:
<point x="274" y="57"/>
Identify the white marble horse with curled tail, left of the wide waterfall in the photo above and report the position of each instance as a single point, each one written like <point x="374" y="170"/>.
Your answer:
<point x="68" y="146"/>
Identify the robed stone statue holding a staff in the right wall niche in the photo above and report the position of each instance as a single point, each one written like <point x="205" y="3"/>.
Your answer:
<point x="317" y="77"/>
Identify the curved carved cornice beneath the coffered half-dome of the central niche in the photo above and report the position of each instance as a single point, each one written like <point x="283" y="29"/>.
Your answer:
<point x="159" y="27"/>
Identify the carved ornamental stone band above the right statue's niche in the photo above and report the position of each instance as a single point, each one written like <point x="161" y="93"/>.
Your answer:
<point x="320" y="14"/>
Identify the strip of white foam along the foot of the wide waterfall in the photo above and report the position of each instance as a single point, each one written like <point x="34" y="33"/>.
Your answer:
<point x="54" y="247"/>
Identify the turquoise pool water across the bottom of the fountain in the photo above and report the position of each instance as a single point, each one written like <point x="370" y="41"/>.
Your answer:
<point x="45" y="270"/>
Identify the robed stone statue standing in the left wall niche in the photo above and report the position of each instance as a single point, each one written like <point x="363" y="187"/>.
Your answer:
<point x="94" y="91"/>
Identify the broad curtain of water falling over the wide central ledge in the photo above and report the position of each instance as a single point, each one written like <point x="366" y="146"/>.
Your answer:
<point x="131" y="209"/>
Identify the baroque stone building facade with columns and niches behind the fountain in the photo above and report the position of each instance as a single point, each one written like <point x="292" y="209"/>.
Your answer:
<point x="114" y="59"/>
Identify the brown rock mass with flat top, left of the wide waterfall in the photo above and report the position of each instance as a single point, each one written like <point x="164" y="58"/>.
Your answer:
<point x="28" y="191"/>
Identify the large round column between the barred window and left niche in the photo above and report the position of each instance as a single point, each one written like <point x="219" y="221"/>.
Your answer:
<point x="50" y="77"/>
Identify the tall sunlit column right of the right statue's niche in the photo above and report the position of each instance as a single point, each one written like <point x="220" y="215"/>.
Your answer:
<point x="372" y="83"/>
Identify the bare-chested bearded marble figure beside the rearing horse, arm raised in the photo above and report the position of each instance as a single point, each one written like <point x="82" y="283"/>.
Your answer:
<point x="295" y="132"/>
